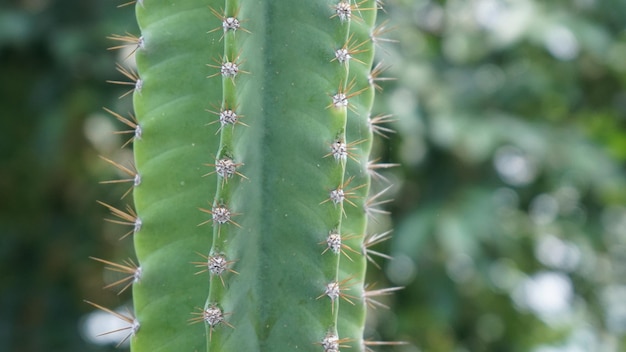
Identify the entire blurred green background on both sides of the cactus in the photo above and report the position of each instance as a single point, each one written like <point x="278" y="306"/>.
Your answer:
<point x="509" y="205"/>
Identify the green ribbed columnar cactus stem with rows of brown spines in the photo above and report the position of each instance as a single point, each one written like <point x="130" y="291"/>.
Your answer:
<point x="252" y="135"/>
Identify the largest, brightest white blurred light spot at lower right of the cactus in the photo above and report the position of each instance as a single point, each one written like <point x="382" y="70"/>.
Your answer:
<point x="548" y="295"/>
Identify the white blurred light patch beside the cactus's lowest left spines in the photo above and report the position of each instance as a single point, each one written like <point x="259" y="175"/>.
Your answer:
<point x="97" y="323"/>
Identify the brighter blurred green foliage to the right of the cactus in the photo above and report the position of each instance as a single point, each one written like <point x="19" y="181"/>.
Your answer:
<point x="510" y="218"/>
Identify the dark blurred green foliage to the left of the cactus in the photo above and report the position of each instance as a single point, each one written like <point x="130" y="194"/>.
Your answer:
<point x="53" y="67"/>
